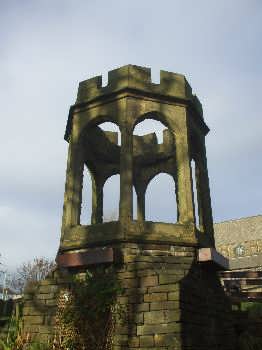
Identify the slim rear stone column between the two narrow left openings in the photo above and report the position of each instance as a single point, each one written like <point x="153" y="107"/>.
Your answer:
<point x="97" y="200"/>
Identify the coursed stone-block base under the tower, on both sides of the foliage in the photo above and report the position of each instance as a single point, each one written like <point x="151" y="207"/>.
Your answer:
<point x="172" y="301"/>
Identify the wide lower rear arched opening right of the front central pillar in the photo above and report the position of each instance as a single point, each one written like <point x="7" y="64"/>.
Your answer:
<point x="160" y="200"/>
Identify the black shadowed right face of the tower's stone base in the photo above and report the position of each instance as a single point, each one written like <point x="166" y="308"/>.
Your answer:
<point x="206" y="312"/>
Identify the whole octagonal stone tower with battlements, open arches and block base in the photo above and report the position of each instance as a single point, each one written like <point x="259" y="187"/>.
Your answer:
<point x="171" y="291"/>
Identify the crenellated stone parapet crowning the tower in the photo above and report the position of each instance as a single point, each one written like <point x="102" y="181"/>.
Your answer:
<point x="138" y="78"/>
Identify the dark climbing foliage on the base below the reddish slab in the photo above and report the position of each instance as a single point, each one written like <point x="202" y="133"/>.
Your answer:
<point x="88" y="310"/>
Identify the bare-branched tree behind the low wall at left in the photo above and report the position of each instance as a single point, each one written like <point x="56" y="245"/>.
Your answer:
<point x="31" y="271"/>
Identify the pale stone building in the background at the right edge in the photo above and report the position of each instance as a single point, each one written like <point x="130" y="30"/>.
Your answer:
<point x="241" y="241"/>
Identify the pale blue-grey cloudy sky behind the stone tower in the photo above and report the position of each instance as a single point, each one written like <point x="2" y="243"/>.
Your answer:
<point x="48" y="46"/>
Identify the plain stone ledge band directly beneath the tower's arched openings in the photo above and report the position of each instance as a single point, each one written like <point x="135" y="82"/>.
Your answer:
<point x="81" y="236"/>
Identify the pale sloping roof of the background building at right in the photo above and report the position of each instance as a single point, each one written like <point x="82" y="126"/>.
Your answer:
<point x="238" y="231"/>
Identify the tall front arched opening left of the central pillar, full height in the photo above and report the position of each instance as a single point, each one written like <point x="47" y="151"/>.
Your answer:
<point x="100" y="143"/>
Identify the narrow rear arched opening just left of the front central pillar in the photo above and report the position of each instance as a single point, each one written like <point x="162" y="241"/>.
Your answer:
<point x="111" y="192"/>
